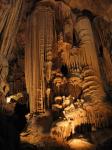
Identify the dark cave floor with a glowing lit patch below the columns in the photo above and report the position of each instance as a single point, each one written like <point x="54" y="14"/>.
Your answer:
<point x="37" y="140"/>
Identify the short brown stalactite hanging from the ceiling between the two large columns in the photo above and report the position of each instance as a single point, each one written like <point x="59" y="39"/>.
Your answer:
<point x="64" y="18"/>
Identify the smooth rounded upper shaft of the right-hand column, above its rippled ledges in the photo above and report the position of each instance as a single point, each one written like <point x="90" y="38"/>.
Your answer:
<point x="87" y="45"/>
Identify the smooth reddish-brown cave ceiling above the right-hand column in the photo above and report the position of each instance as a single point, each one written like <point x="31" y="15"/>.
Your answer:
<point x="98" y="7"/>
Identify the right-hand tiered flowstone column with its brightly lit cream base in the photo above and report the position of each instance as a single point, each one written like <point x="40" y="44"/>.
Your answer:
<point x="85" y="108"/>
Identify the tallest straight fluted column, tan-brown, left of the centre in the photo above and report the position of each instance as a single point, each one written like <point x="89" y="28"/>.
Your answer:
<point x="40" y="42"/>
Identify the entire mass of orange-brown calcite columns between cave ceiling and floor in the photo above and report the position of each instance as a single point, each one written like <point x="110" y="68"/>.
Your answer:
<point x="66" y="54"/>
